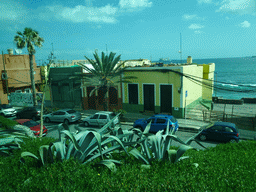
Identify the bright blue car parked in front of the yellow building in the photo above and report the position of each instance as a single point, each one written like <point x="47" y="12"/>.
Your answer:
<point x="158" y="122"/>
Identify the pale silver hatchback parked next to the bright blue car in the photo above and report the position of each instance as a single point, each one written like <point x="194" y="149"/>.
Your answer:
<point x="100" y="119"/>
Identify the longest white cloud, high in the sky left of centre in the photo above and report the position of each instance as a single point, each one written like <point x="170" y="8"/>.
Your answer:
<point x="79" y="13"/>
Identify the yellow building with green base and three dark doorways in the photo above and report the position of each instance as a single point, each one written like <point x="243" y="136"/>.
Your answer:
<point x="168" y="89"/>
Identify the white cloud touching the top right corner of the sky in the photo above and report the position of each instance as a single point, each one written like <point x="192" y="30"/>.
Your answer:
<point x="238" y="6"/>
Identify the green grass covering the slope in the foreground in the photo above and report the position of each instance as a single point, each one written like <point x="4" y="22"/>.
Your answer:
<point x="227" y="167"/>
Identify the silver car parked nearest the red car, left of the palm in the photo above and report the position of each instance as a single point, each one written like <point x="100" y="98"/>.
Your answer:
<point x="65" y="115"/>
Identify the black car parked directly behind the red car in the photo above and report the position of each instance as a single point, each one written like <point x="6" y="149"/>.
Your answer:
<point x="29" y="113"/>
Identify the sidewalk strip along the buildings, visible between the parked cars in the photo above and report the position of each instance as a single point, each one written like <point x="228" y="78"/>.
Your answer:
<point x="187" y="125"/>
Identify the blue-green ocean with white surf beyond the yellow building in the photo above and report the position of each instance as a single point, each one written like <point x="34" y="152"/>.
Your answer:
<point x="235" y="78"/>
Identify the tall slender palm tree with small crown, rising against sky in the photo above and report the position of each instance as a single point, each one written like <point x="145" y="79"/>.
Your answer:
<point x="29" y="38"/>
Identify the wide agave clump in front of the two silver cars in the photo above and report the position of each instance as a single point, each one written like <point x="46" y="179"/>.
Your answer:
<point x="85" y="146"/>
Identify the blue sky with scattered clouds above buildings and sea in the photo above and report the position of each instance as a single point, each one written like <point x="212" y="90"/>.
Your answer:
<point x="134" y="29"/>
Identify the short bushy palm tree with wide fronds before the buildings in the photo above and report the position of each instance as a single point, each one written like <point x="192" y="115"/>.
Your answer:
<point x="104" y="71"/>
